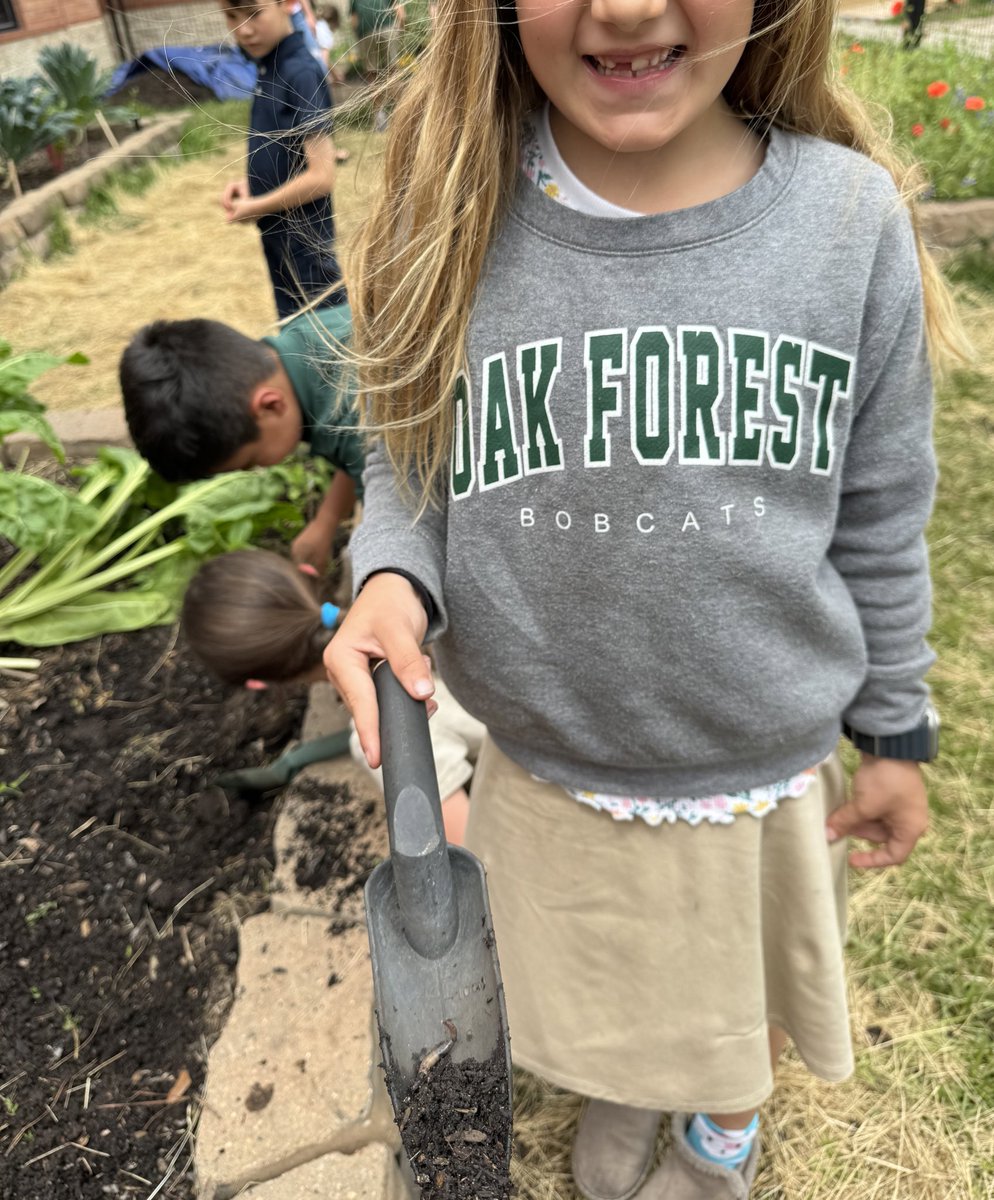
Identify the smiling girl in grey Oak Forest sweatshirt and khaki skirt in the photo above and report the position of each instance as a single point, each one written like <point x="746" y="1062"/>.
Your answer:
<point x="655" y="465"/>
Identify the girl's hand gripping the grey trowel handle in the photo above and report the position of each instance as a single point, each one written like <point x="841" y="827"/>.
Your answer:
<point x="387" y="621"/>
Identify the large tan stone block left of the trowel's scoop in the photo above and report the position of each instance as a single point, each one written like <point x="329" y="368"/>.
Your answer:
<point x="291" y="1079"/>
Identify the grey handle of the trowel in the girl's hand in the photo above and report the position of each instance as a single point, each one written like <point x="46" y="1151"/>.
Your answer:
<point x="418" y="853"/>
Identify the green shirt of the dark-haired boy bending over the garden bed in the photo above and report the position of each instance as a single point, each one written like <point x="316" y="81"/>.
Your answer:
<point x="327" y="399"/>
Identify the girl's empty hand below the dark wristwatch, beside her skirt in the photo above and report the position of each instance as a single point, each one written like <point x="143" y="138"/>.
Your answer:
<point x="888" y="806"/>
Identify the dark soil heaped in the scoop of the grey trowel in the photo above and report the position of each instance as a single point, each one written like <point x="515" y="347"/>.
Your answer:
<point x="456" y="1125"/>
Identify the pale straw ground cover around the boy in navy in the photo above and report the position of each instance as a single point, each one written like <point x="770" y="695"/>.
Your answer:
<point x="167" y="254"/>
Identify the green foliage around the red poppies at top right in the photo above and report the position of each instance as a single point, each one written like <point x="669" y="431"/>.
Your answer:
<point x="955" y="145"/>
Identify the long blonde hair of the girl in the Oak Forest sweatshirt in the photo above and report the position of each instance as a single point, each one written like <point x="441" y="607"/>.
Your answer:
<point x="451" y="171"/>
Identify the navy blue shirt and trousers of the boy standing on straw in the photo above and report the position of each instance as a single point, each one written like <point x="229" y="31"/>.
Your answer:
<point x="292" y="104"/>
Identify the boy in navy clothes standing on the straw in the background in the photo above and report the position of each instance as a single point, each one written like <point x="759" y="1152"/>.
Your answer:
<point x="288" y="190"/>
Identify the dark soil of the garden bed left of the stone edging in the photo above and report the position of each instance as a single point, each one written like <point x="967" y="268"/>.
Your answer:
<point x="122" y="878"/>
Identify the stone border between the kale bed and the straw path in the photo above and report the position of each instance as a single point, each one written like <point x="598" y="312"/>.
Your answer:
<point x="26" y="223"/>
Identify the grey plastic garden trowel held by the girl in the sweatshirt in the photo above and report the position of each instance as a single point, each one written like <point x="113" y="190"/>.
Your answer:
<point x="436" y="976"/>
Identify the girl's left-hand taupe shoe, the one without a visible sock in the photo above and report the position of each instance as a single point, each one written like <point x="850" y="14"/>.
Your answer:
<point x="613" y="1150"/>
